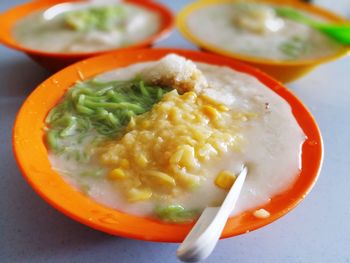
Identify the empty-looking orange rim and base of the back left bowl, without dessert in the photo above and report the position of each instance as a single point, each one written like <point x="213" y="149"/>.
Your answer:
<point x="55" y="61"/>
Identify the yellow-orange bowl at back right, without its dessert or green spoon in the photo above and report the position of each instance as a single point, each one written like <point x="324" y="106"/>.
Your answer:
<point x="284" y="71"/>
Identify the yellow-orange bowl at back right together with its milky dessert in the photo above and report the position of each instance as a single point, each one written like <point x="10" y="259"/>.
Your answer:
<point x="259" y="33"/>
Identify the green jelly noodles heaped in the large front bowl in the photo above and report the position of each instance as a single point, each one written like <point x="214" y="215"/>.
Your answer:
<point x="103" y="109"/>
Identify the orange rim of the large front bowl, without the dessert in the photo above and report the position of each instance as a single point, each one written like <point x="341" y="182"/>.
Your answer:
<point x="32" y="156"/>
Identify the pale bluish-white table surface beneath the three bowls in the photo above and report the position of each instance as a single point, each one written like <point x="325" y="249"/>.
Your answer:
<point x="318" y="230"/>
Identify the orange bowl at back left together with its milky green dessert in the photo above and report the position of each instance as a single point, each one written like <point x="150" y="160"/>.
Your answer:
<point x="58" y="33"/>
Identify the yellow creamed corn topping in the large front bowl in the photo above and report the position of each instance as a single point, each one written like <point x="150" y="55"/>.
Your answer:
<point x="166" y="151"/>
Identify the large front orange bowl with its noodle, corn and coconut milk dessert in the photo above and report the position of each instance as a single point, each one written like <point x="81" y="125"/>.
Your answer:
<point x="138" y="143"/>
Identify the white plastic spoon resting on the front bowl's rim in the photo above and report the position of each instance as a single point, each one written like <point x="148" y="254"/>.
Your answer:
<point x="202" y="239"/>
